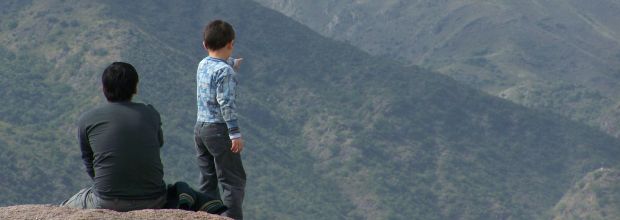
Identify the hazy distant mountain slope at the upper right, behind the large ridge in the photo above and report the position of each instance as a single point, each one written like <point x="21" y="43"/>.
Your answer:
<point x="497" y="46"/>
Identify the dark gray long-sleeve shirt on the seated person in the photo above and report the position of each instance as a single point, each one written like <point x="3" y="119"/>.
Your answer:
<point x="120" y="145"/>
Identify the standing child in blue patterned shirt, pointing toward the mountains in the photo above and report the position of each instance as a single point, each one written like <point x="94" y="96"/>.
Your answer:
<point x="217" y="135"/>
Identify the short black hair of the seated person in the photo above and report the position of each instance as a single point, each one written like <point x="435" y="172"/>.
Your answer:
<point x="120" y="82"/>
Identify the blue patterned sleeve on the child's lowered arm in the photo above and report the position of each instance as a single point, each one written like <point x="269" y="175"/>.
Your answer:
<point x="226" y="97"/>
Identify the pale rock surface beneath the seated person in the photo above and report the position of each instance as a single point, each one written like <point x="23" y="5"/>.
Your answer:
<point x="55" y="212"/>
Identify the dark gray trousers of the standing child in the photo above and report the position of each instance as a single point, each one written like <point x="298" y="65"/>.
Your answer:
<point x="218" y="164"/>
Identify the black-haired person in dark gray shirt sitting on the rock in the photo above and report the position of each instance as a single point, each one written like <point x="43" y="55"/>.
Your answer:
<point x="120" y="143"/>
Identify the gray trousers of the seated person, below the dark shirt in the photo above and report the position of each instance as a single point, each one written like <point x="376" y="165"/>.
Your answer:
<point x="86" y="199"/>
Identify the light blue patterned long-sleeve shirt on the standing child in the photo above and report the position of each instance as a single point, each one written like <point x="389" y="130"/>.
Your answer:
<point x="216" y="93"/>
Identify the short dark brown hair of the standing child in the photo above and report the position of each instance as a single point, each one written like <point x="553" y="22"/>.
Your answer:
<point x="217" y="34"/>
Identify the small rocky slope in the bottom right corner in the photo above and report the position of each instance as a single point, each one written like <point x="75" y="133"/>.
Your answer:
<point x="596" y="196"/>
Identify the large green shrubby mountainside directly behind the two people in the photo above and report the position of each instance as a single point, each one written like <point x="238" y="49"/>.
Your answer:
<point x="331" y="132"/>
